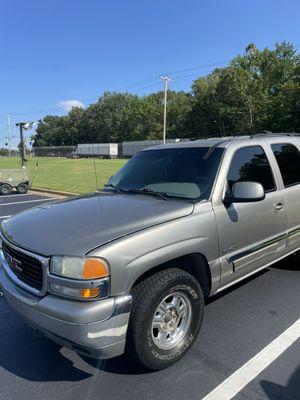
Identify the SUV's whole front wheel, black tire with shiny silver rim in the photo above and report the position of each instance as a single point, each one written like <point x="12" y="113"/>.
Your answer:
<point x="156" y="343"/>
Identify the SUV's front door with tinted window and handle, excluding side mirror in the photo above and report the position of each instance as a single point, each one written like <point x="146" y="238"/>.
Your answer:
<point x="252" y="234"/>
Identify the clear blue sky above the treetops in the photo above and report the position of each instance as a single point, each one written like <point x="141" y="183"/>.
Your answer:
<point x="54" y="51"/>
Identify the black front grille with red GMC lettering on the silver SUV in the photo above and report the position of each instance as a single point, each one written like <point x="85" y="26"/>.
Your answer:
<point x="27" y="269"/>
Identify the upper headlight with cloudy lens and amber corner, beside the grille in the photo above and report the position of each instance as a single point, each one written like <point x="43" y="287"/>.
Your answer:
<point x="79" y="267"/>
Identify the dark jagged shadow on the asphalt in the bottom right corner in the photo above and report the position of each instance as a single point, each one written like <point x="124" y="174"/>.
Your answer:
<point x="279" y="392"/>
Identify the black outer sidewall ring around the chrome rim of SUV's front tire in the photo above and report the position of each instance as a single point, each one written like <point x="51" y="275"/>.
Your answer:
<point x="162" y="358"/>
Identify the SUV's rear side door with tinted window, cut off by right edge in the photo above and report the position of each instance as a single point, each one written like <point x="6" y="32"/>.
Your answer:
<point x="288" y="158"/>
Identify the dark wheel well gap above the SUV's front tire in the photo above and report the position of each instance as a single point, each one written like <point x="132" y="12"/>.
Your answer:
<point x="196" y="264"/>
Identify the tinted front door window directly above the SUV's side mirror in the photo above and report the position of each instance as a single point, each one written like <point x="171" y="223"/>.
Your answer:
<point x="251" y="164"/>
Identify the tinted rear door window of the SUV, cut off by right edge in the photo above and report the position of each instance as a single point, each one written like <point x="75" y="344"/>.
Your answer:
<point x="288" y="159"/>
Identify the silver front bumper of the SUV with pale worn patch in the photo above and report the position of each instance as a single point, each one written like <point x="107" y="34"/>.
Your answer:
<point x="96" y="329"/>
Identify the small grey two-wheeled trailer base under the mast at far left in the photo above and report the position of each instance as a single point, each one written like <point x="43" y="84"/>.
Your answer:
<point x="14" y="179"/>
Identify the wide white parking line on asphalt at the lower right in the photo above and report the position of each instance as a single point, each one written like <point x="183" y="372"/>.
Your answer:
<point x="249" y="371"/>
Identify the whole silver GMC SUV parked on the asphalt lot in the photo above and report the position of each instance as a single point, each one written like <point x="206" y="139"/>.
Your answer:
<point x="129" y="267"/>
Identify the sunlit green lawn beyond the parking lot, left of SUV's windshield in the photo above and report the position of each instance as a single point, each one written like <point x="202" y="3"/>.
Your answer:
<point x="69" y="175"/>
